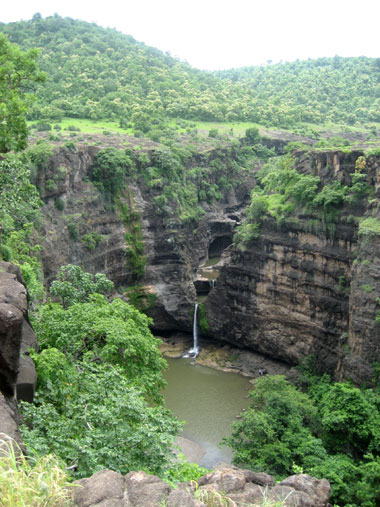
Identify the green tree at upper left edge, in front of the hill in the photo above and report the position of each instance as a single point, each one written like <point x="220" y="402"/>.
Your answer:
<point x="18" y="73"/>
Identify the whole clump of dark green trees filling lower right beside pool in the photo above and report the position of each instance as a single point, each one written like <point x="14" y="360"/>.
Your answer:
<point x="331" y="432"/>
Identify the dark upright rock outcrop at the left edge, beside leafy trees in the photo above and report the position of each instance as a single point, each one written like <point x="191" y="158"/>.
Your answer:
<point x="17" y="373"/>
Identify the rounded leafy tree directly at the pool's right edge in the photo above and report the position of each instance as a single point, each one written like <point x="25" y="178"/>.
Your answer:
<point x="277" y="430"/>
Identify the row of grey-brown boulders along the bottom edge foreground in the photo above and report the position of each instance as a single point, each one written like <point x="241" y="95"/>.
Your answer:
<point x="227" y="485"/>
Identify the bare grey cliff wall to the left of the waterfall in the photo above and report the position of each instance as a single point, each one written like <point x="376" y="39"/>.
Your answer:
<point x="173" y="250"/>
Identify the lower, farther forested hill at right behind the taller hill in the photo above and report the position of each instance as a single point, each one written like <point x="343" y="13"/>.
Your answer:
<point x="335" y="89"/>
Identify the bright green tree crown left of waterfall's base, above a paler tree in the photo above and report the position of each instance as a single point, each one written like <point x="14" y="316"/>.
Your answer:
<point x="99" y="331"/>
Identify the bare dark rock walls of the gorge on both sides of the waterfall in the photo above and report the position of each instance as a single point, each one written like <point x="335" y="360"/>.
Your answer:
<point x="295" y="291"/>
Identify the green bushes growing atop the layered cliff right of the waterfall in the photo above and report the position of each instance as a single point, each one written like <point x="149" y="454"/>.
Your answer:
<point x="283" y="192"/>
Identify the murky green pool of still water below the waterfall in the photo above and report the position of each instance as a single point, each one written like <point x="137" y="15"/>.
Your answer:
<point x="209" y="401"/>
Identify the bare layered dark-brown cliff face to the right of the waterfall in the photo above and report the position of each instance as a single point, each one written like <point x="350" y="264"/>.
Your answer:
<point x="294" y="292"/>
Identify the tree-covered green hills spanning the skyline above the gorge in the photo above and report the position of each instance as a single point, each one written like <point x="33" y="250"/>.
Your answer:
<point x="100" y="73"/>
